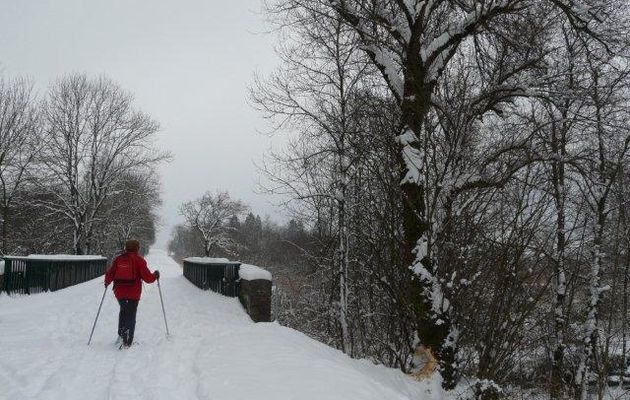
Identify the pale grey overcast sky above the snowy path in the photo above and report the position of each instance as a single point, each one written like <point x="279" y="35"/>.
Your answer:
<point x="188" y="62"/>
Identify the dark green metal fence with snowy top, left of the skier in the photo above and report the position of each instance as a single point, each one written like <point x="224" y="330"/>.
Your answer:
<point x="28" y="275"/>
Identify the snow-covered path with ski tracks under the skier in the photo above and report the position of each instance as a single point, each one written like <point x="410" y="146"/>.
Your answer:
<point x="214" y="352"/>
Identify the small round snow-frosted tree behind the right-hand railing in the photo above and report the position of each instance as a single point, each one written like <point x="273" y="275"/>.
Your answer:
<point x="210" y="215"/>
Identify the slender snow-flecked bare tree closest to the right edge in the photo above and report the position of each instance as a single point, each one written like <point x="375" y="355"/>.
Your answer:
<point x="607" y="145"/>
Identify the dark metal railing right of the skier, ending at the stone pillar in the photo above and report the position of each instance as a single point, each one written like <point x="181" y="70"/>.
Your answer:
<point x="218" y="276"/>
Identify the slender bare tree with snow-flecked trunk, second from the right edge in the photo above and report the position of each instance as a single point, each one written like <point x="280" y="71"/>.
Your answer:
<point x="556" y="119"/>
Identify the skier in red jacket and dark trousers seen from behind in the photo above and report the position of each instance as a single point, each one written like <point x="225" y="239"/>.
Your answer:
<point x="127" y="271"/>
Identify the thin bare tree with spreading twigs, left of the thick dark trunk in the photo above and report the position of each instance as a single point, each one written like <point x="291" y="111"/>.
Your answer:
<point x="316" y="94"/>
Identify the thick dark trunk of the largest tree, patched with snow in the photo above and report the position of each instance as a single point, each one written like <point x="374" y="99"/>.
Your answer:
<point x="434" y="324"/>
